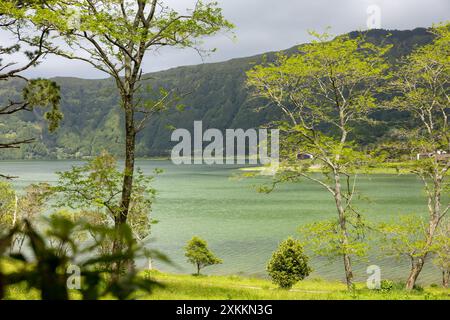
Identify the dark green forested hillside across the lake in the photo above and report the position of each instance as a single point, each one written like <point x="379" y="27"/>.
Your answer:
<point x="217" y="95"/>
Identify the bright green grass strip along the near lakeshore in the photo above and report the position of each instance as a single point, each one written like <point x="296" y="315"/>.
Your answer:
<point x="188" y="287"/>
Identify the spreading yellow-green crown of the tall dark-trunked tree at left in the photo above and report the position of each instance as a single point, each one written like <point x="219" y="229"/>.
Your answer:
<point x="115" y="37"/>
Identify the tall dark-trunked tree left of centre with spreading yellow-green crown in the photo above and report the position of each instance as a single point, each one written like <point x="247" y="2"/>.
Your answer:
<point x="115" y="37"/>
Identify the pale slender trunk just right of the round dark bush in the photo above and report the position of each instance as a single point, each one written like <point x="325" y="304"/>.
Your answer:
<point x="344" y="233"/>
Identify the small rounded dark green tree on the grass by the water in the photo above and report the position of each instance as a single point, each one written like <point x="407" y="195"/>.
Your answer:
<point x="288" y="264"/>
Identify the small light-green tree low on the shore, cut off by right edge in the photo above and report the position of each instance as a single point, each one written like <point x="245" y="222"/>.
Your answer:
<point x="441" y="249"/>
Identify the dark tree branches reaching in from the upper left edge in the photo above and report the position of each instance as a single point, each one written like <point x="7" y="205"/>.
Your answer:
<point x="37" y="92"/>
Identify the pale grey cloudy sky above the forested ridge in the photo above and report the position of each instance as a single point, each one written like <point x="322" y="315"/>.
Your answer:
<point x="268" y="25"/>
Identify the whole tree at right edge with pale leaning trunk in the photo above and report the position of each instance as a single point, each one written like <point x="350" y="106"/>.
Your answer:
<point x="422" y="89"/>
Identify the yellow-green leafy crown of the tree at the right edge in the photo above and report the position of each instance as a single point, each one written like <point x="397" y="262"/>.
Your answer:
<point x="421" y="88"/>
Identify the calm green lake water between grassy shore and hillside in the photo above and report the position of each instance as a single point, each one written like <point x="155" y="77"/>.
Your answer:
<point x="244" y="227"/>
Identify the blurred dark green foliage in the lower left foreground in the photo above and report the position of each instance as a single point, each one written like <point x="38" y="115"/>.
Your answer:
<point x="48" y="270"/>
